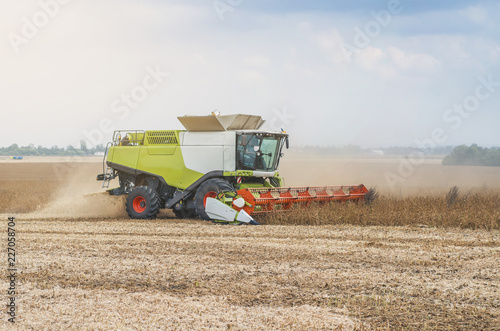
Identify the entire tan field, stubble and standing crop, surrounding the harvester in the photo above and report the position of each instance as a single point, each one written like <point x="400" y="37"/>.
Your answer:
<point x="408" y="261"/>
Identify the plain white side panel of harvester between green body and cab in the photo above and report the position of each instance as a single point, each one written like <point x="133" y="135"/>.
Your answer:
<point x="203" y="158"/>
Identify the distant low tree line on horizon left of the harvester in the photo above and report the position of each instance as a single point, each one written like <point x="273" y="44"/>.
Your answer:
<point x="31" y="150"/>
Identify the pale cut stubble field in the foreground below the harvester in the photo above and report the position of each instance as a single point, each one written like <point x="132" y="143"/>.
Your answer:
<point x="175" y="275"/>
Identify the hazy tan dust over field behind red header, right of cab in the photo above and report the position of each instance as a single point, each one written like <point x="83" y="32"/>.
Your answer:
<point x="386" y="174"/>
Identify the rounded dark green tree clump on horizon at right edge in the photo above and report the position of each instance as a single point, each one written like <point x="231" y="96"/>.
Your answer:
<point x="473" y="155"/>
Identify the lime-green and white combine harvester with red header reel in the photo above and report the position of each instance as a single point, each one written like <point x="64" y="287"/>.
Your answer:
<point x="221" y="168"/>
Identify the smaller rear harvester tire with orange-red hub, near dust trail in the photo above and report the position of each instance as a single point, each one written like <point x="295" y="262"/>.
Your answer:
<point x="143" y="203"/>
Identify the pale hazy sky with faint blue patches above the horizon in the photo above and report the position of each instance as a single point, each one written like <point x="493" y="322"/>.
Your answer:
<point x="331" y="73"/>
